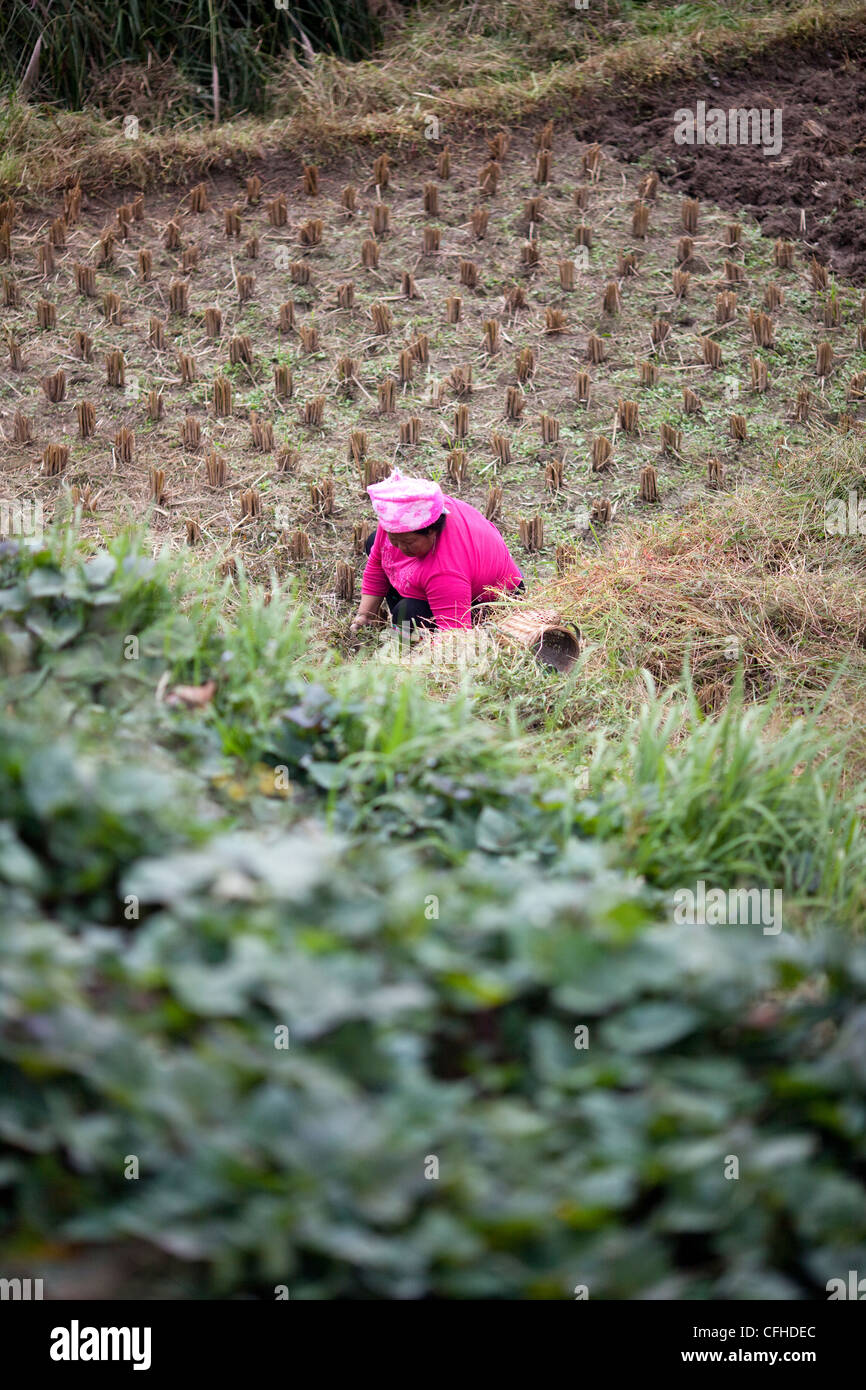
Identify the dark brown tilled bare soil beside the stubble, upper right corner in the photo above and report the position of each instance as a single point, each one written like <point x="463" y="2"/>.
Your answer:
<point x="821" y="172"/>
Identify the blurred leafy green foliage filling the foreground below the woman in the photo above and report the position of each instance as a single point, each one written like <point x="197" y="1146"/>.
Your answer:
<point x="427" y="925"/>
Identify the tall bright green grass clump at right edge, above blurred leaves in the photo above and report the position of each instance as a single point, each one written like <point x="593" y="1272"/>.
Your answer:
<point x="732" y="800"/>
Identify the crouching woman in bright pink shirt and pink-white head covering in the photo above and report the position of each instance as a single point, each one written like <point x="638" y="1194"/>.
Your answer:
<point x="433" y="558"/>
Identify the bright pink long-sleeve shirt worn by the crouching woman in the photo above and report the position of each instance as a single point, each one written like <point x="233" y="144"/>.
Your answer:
<point x="469" y="561"/>
